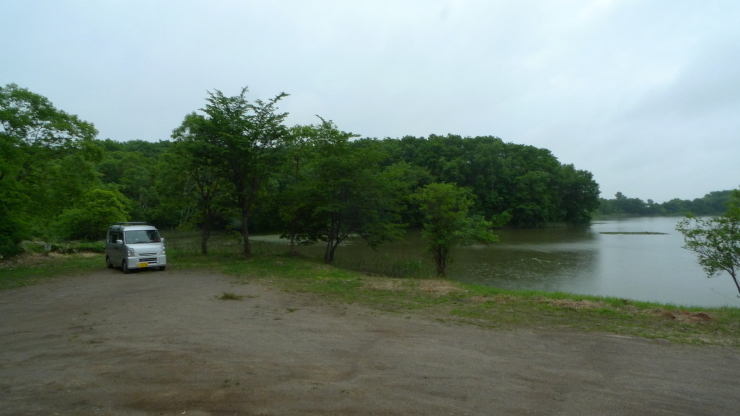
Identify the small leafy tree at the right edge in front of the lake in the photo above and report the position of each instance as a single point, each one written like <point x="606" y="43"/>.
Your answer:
<point x="715" y="241"/>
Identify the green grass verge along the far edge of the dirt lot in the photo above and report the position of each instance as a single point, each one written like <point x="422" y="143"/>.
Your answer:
<point x="439" y="299"/>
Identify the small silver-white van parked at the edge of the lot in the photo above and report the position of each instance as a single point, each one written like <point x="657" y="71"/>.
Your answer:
<point x="134" y="245"/>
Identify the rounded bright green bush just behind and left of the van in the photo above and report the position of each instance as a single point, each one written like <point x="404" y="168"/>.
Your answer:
<point x="90" y="219"/>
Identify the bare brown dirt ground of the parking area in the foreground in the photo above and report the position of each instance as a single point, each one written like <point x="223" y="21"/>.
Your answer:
<point x="161" y="343"/>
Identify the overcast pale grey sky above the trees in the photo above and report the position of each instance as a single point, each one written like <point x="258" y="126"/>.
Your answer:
<point x="644" y="94"/>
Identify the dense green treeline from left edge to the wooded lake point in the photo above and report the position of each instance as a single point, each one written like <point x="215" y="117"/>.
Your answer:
<point x="236" y="165"/>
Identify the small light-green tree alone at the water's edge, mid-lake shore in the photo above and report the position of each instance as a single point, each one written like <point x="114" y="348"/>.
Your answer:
<point x="448" y="223"/>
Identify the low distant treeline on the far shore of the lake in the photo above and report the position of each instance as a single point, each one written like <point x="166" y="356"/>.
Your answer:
<point x="712" y="203"/>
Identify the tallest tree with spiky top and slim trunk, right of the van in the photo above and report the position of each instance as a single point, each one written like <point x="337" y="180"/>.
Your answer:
<point x="240" y="140"/>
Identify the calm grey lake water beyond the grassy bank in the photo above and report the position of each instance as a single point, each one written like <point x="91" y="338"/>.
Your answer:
<point x="577" y="260"/>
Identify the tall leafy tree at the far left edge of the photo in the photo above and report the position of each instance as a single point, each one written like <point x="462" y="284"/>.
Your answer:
<point x="35" y="137"/>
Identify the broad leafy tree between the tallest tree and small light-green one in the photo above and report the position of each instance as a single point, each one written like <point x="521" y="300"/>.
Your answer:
<point x="348" y="193"/>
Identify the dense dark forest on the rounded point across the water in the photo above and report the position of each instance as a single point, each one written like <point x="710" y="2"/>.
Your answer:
<point x="528" y="183"/>
